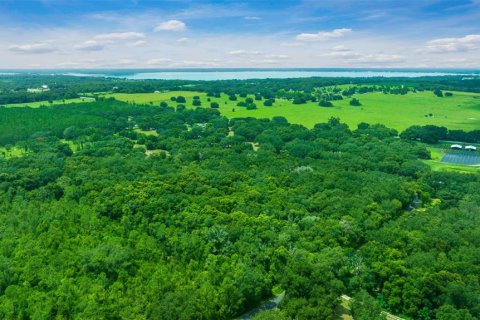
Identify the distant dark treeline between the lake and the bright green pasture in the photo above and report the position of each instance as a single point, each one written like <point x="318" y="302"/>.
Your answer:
<point x="13" y="89"/>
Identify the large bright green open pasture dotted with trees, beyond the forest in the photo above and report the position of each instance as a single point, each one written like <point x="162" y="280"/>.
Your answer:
<point x="461" y="111"/>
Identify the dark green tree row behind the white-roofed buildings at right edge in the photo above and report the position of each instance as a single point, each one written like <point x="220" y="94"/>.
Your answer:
<point x="432" y="134"/>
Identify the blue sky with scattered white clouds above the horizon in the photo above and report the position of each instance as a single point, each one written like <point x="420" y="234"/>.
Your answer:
<point x="85" y="34"/>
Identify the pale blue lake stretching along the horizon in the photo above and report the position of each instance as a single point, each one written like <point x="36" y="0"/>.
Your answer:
<point x="249" y="73"/>
